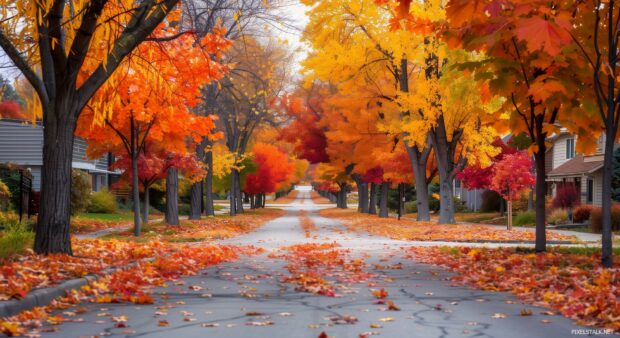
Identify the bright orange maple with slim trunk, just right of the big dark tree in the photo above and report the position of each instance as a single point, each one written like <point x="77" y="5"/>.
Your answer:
<point x="151" y="111"/>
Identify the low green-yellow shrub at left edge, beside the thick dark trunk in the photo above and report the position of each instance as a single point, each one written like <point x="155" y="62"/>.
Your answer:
<point x="15" y="238"/>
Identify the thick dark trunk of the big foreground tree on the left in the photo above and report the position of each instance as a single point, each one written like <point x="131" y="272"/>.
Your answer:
<point x="53" y="230"/>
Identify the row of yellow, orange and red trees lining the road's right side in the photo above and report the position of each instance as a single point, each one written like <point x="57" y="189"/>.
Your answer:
<point x="435" y="81"/>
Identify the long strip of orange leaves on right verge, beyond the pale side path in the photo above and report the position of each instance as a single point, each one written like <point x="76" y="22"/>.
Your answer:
<point x="430" y="231"/>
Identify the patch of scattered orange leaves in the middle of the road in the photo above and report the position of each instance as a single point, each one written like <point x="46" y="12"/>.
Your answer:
<point x="310" y="264"/>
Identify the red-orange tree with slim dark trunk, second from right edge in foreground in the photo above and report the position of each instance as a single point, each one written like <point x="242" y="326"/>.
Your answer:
<point x="535" y="72"/>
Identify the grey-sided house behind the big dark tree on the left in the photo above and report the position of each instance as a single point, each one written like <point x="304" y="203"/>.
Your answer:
<point x="21" y="143"/>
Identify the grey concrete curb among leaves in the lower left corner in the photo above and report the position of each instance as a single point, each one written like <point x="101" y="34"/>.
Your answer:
<point x="42" y="297"/>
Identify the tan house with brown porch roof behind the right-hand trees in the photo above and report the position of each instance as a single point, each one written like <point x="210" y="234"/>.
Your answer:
<point x="566" y="166"/>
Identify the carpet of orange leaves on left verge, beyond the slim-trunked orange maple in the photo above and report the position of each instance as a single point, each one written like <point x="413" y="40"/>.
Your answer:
<point x="219" y="227"/>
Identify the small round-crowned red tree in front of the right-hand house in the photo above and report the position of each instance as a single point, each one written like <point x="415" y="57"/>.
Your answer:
<point x="511" y="176"/>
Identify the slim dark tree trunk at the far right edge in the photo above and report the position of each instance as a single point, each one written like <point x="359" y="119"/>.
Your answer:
<point x="607" y="235"/>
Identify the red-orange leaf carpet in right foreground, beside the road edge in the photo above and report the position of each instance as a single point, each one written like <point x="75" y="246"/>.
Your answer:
<point x="574" y="285"/>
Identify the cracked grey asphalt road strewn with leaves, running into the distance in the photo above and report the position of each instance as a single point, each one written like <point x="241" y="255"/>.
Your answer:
<point x="247" y="298"/>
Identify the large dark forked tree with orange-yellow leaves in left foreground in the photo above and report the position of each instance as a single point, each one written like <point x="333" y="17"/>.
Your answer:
<point x="53" y="47"/>
